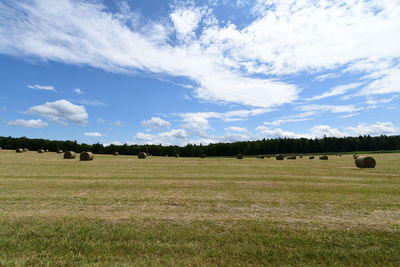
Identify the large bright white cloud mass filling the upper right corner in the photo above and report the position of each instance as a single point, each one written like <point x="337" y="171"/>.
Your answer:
<point x="317" y="36"/>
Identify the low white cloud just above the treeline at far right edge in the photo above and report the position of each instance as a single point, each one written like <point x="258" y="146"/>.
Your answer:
<point x="379" y="128"/>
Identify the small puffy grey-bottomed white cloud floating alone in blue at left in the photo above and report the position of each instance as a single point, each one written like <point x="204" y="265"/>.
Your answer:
<point x="61" y="111"/>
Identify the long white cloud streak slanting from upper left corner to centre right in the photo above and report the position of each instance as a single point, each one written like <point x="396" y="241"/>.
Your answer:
<point x="83" y="33"/>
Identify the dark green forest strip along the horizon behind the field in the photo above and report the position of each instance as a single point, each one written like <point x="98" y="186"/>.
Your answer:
<point x="260" y="147"/>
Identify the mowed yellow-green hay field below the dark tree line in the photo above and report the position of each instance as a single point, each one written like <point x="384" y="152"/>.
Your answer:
<point x="124" y="211"/>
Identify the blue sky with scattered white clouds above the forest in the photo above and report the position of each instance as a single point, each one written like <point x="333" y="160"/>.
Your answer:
<point x="178" y="72"/>
